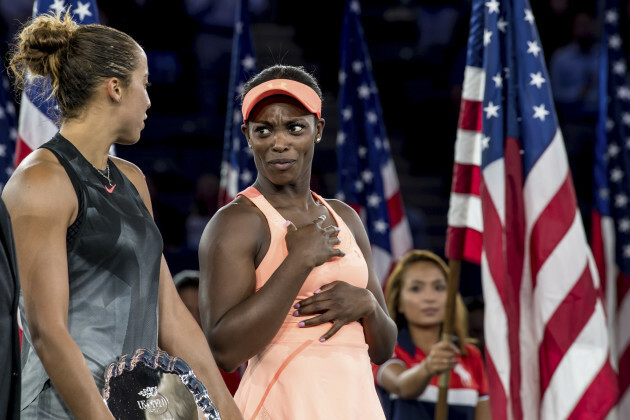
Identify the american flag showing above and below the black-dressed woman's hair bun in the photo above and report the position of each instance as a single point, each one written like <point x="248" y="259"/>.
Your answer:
<point x="37" y="115"/>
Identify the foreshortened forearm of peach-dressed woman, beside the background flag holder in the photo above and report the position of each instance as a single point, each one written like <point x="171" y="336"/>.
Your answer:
<point x="380" y="333"/>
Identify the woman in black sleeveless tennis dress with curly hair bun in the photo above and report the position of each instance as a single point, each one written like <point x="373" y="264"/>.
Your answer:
<point x="94" y="282"/>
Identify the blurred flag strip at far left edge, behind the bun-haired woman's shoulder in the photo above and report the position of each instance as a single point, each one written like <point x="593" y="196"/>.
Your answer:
<point x="8" y="131"/>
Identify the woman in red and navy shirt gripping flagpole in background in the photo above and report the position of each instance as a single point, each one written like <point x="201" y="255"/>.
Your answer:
<point x="407" y="384"/>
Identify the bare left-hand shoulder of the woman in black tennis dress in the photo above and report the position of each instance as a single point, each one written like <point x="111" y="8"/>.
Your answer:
<point x="40" y="185"/>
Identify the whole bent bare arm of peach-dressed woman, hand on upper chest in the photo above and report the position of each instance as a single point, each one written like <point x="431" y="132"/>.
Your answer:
<point x="239" y="323"/>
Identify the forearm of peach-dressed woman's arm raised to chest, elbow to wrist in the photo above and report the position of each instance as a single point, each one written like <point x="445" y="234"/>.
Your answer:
<point x="248" y="327"/>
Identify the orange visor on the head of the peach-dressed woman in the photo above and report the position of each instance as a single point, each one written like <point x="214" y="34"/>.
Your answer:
<point x="307" y="96"/>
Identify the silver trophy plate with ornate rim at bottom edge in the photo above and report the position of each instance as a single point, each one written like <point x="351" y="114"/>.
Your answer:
<point x="155" y="386"/>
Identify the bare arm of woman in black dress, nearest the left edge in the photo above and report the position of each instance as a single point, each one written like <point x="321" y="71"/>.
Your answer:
<point x="42" y="204"/>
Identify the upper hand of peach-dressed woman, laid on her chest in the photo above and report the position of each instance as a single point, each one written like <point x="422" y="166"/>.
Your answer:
<point x="313" y="243"/>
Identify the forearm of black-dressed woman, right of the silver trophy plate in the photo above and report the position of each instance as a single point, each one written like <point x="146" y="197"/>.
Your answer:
<point x="186" y="340"/>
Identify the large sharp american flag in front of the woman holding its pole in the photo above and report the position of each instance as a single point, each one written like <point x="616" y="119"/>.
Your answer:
<point x="547" y="348"/>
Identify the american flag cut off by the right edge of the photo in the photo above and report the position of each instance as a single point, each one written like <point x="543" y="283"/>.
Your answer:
<point x="611" y="210"/>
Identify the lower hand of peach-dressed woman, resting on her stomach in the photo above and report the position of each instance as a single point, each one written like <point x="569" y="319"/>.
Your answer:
<point x="337" y="302"/>
